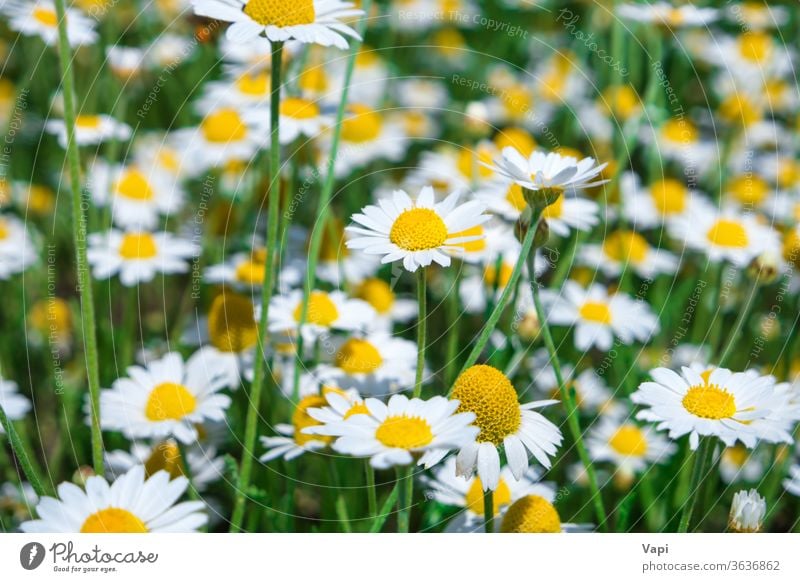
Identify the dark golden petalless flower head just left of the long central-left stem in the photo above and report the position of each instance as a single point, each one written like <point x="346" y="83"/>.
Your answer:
<point x="231" y="323"/>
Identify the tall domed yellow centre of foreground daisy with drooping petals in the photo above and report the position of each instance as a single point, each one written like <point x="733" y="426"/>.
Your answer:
<point x="487" y="392"/>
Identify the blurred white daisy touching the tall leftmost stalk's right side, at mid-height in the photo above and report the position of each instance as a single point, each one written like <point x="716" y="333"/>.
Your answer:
<point x="137" y="256"/>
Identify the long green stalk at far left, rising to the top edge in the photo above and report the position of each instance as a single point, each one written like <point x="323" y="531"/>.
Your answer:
<point x="79" y="238"/>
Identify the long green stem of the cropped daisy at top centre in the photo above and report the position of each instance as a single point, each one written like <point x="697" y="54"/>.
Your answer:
<point x="259" y="372"/>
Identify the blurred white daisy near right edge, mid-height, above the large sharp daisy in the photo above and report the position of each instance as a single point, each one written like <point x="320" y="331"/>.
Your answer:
<point x="727" y="235"/>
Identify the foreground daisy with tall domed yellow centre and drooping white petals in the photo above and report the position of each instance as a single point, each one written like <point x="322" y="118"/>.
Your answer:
<point x="503" y="421"/>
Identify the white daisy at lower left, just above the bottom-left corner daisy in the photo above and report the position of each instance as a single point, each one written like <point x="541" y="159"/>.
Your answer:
<point x="167" y="398"/>
